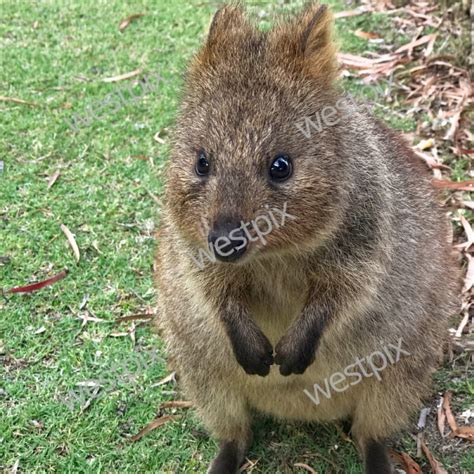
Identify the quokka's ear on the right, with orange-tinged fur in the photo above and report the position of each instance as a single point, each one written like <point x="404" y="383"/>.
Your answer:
<point x="306" y="43"/>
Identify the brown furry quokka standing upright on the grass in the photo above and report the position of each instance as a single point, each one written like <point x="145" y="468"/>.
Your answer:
<point x="365" y="262"/>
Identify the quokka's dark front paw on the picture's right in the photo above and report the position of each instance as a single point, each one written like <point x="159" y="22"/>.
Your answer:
<point x="293" y="355"/>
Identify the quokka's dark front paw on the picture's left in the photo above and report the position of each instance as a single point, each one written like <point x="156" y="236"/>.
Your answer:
<point x="255" y="354"/>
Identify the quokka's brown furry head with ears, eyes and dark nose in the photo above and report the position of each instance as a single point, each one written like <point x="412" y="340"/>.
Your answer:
<point x="239" y="158"/>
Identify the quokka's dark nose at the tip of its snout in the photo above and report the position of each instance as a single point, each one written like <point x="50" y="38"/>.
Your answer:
<point x="228" y="240"/>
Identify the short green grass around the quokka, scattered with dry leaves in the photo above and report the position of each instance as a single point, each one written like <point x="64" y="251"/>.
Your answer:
<point x="54" y="54"/>
